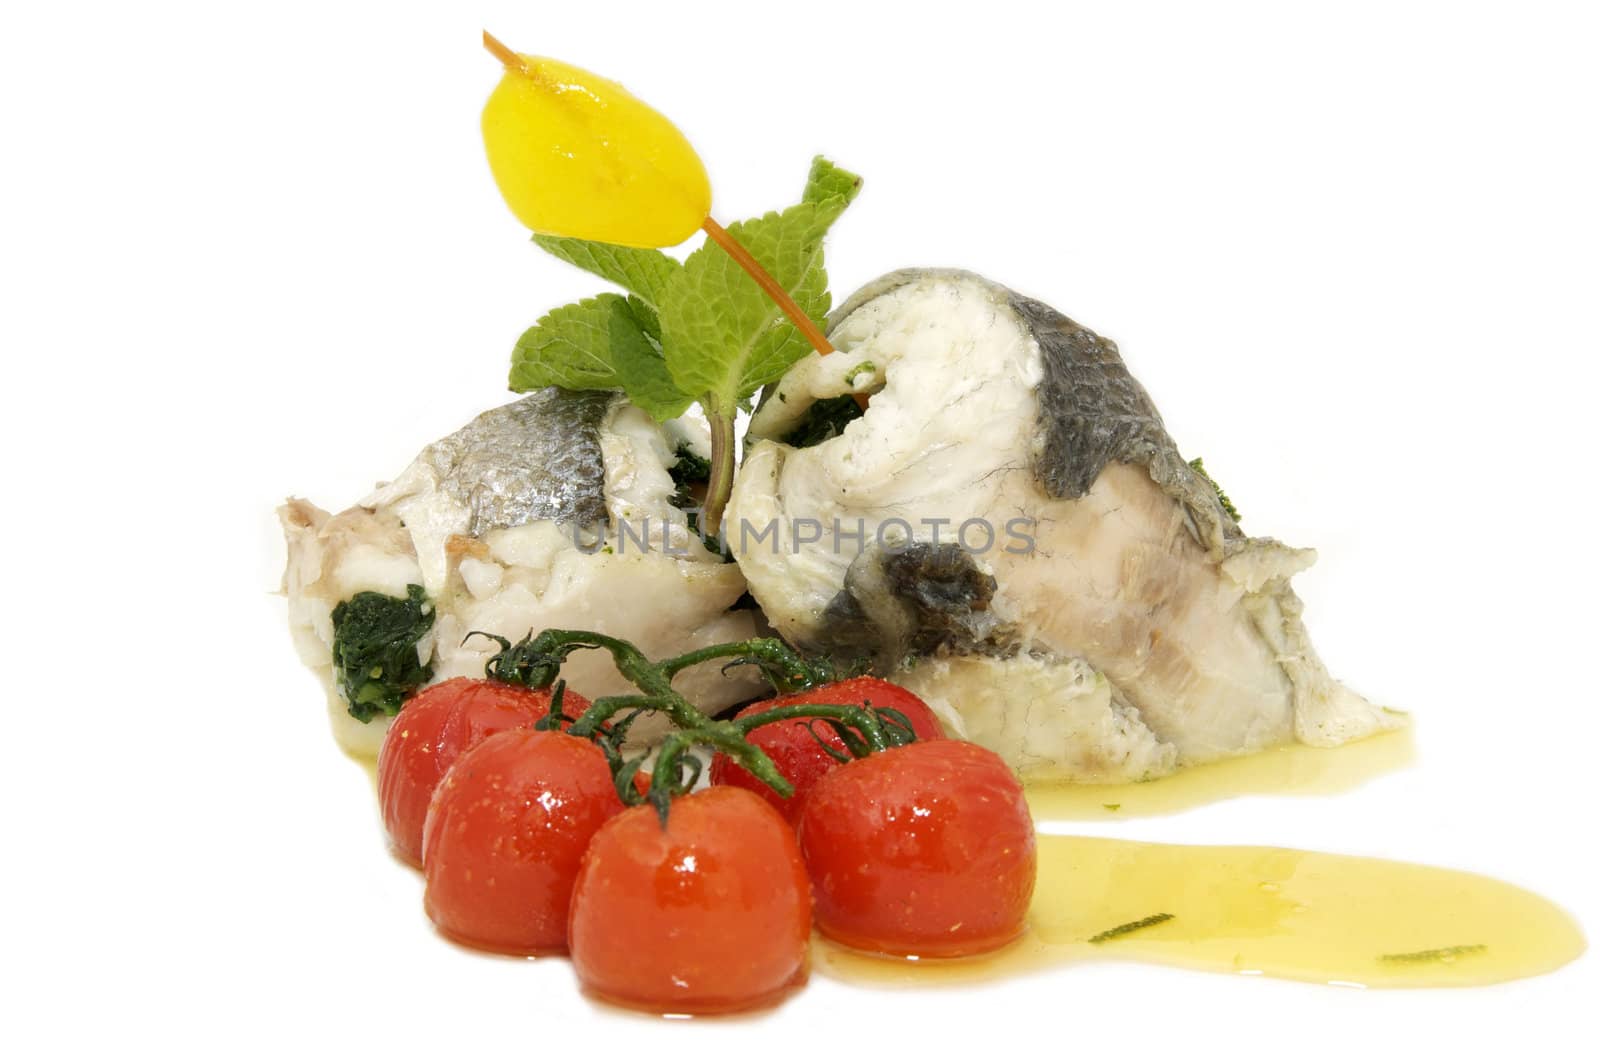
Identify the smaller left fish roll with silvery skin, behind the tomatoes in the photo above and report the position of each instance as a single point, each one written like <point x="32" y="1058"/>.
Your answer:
<point x="489" y="523"/>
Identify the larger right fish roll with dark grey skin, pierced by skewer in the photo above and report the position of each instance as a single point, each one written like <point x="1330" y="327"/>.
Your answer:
<point x="1090" y="611"/>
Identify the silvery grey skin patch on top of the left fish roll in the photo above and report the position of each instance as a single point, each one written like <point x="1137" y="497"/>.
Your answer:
<point x="537" y="459"/>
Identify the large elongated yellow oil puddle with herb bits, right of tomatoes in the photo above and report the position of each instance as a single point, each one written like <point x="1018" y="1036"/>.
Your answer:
<point x="1260" y="912"/>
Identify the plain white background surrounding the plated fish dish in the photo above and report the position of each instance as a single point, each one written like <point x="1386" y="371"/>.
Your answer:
<point x="255" y="251"/>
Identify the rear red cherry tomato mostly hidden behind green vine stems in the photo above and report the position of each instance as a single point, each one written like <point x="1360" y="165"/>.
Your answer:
<point x="799" y="756"/>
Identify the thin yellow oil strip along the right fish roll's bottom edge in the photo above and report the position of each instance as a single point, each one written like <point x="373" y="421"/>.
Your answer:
<point x="1287" y="771"/>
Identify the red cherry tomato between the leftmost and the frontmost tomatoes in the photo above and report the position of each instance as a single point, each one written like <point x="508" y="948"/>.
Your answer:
<point x="506" y="832"/>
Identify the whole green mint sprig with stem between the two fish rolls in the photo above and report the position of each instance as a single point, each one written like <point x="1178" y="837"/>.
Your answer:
<point x="700" y="331"/>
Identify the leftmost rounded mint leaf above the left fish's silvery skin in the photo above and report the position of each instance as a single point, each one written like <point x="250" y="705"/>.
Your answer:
<point x="575" y="347"/>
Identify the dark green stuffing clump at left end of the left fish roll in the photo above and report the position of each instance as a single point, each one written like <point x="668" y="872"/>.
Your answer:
<point x="375" y="651"/>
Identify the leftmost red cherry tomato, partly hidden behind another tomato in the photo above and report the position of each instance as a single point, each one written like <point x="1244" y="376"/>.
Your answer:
<point x="436" y="728"/>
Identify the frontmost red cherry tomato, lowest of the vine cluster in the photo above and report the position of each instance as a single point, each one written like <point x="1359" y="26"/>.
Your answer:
<point x="711" y="915"/>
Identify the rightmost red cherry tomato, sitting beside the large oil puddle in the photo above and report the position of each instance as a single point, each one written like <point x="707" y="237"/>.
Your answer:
<point x="921" y="851"/>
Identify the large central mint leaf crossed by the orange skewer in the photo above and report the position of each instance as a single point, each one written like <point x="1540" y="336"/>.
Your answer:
<point x="722" y="337"/>
